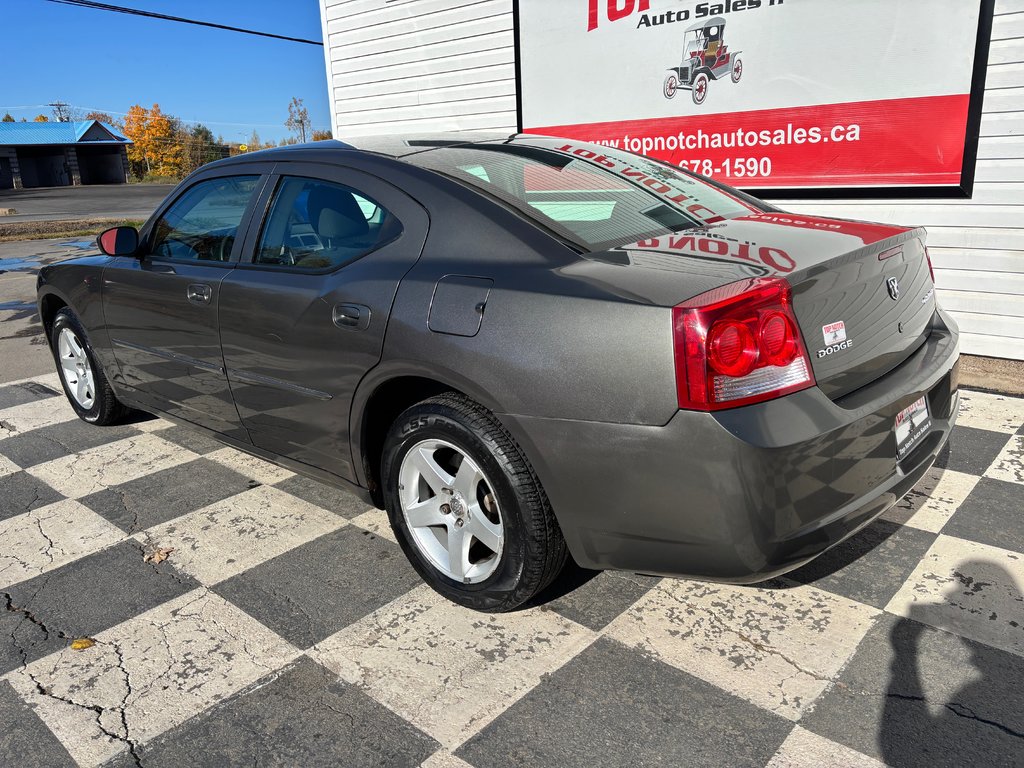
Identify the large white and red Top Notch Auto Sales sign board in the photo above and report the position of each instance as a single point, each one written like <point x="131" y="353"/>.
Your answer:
<point x="773" y="95"/>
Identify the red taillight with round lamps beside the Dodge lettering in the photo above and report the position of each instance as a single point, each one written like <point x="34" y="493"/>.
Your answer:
<point x="739" y="345"/>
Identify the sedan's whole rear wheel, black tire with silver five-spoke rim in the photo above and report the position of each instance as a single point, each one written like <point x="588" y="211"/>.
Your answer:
<point x="466" y="507"/>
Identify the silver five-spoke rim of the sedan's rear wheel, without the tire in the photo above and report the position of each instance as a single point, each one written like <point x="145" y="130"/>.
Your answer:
<point x="452" y="511"/>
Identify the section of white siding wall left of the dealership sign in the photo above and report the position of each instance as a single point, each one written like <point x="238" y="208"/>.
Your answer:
<point x="397" y="66"/>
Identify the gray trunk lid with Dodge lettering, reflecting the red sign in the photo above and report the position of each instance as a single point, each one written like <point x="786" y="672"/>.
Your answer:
<point x="841" y="274"/>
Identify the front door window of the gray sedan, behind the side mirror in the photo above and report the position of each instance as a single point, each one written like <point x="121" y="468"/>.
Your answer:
<point x="202" y="225"/>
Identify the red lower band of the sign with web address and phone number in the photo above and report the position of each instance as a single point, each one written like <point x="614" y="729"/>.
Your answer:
<point x="913" y="142"/>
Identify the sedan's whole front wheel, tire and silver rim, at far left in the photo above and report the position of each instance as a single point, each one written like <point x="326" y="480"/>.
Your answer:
<point x="82" y="376"/>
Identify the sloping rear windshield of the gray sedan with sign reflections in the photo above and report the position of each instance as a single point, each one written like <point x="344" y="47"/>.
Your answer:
<point x="595" y="198"/>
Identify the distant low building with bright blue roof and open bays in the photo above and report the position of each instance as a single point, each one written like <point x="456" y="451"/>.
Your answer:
<point x="84" y="152"/>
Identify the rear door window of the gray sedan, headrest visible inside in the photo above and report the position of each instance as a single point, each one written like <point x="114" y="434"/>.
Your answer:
<point x="317" y="226"/>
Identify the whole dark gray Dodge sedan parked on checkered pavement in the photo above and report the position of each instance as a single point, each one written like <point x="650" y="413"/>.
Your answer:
<point x="527" y="350"/>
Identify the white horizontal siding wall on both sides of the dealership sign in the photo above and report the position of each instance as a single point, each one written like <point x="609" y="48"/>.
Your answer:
<point x="397" y="66"/>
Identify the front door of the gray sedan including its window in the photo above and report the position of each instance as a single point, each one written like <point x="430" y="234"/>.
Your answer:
<point x="161" y="308"/>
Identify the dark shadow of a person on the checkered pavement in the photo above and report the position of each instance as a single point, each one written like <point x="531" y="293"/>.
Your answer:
<point x="953" y="702"/>
